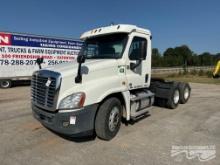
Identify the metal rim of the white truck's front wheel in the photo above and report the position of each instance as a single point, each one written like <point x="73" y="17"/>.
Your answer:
<point x="114" y="118"/>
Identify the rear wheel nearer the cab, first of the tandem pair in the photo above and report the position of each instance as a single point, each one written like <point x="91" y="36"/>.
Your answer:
<point x="173" y="100"/>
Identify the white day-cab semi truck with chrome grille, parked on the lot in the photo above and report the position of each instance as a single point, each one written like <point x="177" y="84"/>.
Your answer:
<point x="110" y="81"/>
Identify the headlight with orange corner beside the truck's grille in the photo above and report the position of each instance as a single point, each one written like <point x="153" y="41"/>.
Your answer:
<point x="75" y="100"/>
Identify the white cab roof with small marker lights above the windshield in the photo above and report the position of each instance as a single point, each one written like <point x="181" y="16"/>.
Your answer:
<point x="120" y="28"/>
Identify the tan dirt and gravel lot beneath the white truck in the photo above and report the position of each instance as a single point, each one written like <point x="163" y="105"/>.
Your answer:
<point x="25" y="142"/>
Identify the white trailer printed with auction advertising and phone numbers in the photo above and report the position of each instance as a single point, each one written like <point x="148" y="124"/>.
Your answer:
<point x="18" y="54"/>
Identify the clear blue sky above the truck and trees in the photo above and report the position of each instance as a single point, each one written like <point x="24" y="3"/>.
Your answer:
<point x="195" y="23"/>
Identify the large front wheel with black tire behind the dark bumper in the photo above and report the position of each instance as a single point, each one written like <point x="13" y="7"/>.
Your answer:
<point x="108" y="119"/>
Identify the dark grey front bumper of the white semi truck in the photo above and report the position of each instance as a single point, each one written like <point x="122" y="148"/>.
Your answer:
<point x="60" y="121"/>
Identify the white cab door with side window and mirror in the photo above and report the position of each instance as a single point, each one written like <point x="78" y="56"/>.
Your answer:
<point x="138" y="61"/>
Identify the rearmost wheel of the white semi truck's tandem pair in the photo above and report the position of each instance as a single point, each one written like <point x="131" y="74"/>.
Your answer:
<point x="185" y="92"/>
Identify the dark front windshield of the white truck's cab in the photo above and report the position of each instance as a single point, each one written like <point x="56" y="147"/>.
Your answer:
<point x="108" y="46"/>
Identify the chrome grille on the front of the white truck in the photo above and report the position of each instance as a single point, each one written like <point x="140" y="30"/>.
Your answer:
<point x="44" y="89"/>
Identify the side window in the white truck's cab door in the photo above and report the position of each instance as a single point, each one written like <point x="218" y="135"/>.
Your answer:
<point x="138" y="49"/>
